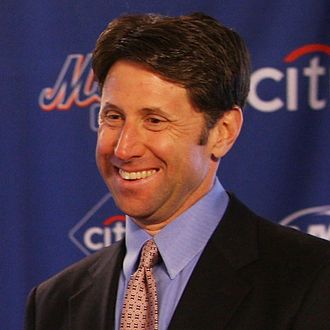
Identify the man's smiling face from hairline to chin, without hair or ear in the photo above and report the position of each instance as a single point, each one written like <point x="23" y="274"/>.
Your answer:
<point x="147" y="151"/>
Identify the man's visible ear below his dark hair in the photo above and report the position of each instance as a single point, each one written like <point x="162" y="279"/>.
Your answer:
<point x="226" y="131"/>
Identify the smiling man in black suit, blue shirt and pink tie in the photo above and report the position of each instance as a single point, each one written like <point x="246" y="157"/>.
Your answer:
<point x="172" y="93"/>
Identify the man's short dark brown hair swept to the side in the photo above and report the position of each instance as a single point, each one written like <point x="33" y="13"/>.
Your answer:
<point x="195" y="51"/>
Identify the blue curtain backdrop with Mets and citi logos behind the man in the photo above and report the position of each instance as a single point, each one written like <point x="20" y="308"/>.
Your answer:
<point x="55" y="208"/>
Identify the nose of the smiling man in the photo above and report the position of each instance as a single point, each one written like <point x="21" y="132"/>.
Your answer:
<point x="129" y="143"/>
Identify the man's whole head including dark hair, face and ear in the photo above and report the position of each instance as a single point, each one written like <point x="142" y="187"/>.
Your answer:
<point x="171" y="96"/>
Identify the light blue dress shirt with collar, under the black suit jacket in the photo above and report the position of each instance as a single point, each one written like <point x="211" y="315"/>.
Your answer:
<point x="180" y="245"/>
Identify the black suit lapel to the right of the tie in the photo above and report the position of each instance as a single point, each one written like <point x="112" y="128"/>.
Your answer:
<point x="216" y="287"/>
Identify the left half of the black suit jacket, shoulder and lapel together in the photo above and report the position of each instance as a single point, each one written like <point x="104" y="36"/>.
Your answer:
<point x="49" y="304"/>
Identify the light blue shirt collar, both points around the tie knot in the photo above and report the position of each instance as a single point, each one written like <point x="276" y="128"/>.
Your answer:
<point x="185" y="237"/>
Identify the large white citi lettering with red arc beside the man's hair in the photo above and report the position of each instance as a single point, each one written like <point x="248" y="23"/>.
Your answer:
<point x="305" y="75"/>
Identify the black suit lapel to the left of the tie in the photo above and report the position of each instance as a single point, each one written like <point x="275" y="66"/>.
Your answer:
<point x="93" y="307"/>
